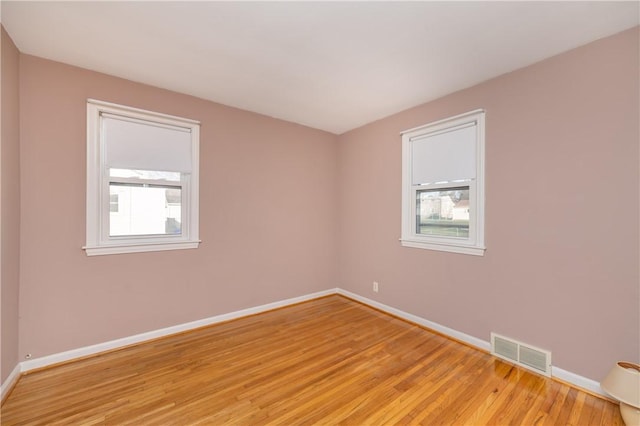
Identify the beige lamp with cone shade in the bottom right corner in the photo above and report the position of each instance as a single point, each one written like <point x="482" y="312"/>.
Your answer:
<point x="623" y="383"/>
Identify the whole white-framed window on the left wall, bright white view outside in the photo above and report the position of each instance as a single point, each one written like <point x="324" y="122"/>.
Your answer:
<point x="142" y="180"/>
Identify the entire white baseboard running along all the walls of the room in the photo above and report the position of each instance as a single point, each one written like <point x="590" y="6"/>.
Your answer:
<point x="566" y="376"/>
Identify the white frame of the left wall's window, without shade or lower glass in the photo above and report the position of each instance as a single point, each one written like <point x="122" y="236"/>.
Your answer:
<point x="98" y="241"/>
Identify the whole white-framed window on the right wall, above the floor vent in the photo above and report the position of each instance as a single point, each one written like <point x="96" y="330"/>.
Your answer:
<point x="443" y="185"/>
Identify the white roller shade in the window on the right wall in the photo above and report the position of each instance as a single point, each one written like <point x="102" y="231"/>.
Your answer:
<point x="444" y="156"/>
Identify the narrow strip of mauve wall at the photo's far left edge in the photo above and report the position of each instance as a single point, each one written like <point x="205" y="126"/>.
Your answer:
<point x="10" y="169"/>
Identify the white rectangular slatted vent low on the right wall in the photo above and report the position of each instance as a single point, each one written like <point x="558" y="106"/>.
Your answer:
<point x="519" y="353"/>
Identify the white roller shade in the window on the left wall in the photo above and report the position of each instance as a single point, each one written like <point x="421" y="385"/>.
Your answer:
<point x="133" y="144"/>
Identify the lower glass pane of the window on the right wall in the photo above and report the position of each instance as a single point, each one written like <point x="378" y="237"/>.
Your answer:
<point x="443" y="212"/>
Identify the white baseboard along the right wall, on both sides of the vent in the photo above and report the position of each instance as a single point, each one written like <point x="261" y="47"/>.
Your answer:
<point x="564" y="375"/>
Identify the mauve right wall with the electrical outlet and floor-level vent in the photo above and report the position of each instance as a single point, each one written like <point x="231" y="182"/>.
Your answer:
<point x="561" y="266"/>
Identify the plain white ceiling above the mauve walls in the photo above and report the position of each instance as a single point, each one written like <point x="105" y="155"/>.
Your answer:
<point x="330" y="65"/>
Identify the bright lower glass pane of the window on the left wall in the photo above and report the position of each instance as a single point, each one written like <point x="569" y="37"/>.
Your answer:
<point x="145" y="210"/>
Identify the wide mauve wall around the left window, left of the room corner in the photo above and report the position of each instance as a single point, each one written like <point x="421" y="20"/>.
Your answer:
<point x="267" y="217"/>
